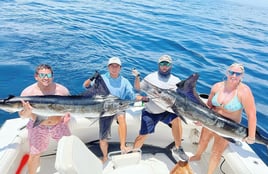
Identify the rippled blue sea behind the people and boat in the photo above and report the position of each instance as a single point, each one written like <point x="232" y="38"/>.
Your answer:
<point x="77" y="37"/>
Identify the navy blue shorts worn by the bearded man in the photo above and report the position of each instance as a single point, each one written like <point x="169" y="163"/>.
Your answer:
<point x="149" y="120"/>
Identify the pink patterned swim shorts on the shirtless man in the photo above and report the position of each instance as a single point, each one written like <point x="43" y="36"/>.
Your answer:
<point x="39" y="136"/>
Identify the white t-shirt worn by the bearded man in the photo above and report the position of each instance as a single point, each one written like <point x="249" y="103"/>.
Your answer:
<point x="155" y="105"/>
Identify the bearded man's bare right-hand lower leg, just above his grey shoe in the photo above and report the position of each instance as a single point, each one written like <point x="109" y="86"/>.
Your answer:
<point x="177" y="131"/>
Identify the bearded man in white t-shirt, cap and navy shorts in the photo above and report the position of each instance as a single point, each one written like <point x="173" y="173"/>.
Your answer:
<point x="153" y="112"/>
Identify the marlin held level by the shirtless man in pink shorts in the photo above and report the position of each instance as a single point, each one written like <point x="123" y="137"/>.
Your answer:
<point x="94" y="103"/>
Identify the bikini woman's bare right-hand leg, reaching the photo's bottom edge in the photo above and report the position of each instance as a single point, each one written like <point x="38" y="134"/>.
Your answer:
<point x="218" y="148"/>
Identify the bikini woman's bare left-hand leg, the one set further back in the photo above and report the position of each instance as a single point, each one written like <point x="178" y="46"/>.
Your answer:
<point x="205" y="137"/>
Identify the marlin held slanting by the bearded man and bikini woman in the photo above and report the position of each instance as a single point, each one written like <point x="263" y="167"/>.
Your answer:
<point x="186" y="102"/>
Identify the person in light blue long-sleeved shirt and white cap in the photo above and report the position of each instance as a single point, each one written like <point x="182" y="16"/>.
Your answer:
<point x="119" y="87"/>
